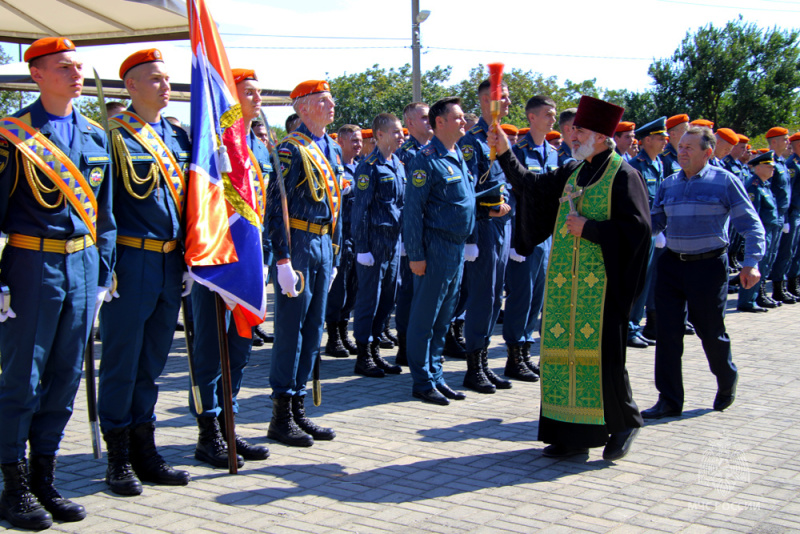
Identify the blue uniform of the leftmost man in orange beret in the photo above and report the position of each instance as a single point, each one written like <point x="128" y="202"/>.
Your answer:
<point x="41" y="350"/>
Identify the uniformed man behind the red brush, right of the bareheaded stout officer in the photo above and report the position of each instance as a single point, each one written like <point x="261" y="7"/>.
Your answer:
<point x="486" y="251"/>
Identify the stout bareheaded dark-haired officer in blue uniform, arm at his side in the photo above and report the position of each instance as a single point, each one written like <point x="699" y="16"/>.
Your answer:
<point x="441" y="194"/>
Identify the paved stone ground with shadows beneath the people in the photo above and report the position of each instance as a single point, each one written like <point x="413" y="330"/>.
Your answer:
<point x="398" y="464"/>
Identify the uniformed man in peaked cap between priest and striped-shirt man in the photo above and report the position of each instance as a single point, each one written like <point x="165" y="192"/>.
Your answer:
<point x="653" y="138"/>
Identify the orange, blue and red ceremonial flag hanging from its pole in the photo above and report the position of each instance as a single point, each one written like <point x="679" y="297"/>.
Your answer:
<point x="223" y="231"/>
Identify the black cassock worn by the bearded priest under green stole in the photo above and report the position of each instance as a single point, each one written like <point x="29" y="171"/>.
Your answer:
<point x="625" y="241"/>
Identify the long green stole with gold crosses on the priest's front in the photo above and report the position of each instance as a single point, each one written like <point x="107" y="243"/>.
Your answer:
<point x="572" y="332"/>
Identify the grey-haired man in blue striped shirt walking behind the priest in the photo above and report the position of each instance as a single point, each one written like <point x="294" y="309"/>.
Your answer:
<point x="692" y="208"/>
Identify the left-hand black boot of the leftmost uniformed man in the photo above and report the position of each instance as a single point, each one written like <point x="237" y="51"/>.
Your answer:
<point x="18" y="505"/>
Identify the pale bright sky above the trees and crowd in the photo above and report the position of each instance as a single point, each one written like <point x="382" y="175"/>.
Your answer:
<point x="613" y="41"/>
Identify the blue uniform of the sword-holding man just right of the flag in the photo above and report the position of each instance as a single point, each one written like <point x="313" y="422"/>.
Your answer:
<point x="299" y="320"/>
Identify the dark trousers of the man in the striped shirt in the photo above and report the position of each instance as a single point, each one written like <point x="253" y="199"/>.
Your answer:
<point x="702" y="287"/>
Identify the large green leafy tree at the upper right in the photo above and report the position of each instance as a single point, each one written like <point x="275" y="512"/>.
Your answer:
<point x="739" y="76"/>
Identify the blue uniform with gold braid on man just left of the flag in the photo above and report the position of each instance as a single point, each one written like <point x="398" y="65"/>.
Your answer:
<point x="136" y="328"/>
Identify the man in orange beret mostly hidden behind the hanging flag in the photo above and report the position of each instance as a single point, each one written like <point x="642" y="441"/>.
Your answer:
<point x="207" y="371"/>
